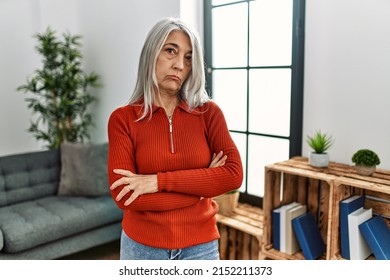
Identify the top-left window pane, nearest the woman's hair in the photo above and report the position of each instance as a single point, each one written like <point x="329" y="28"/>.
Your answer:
<point x="230" y="25"/>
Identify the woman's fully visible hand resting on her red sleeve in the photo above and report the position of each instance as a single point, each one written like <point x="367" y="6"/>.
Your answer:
<point x="139" y="184"/>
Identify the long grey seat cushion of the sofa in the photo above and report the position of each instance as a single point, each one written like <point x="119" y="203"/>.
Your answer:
<point x="30" y="224"/>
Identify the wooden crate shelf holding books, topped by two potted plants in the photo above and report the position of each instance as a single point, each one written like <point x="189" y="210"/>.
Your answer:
<point x="321" y="189"/>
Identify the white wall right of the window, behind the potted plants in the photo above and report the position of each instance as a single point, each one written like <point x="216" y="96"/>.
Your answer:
<point x="347" y="75"/>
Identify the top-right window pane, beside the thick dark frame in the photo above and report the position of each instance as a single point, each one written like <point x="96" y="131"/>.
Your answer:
<point x="270" y="38"/>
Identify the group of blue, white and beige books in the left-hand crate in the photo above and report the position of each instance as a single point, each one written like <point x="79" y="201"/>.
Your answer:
<point x="294" y="228"/>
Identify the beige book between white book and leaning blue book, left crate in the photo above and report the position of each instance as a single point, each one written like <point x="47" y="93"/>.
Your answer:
<point x="292" y="245"/>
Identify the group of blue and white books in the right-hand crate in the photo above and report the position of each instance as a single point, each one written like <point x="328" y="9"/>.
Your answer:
<point x="362" y="233"/>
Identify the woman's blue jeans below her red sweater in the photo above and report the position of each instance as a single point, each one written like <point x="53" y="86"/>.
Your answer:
<point x="132" y="250"/>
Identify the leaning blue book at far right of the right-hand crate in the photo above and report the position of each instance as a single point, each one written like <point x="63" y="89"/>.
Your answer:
<point x="377" y="234"/>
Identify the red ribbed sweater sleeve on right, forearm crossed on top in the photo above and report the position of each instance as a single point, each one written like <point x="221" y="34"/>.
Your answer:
<point x="209" y="182"/>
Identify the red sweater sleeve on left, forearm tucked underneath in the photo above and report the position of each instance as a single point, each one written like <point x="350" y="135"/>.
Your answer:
<point x="121" y="156"/>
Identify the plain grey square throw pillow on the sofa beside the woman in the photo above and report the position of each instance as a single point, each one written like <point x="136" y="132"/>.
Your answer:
<point x="84" y="169"/>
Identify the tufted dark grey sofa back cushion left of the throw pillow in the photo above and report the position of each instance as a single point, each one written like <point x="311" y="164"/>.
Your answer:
<point x="28" y="176"/>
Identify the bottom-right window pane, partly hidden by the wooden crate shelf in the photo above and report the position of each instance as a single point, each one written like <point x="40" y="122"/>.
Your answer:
<point x="263" y="151"/>
